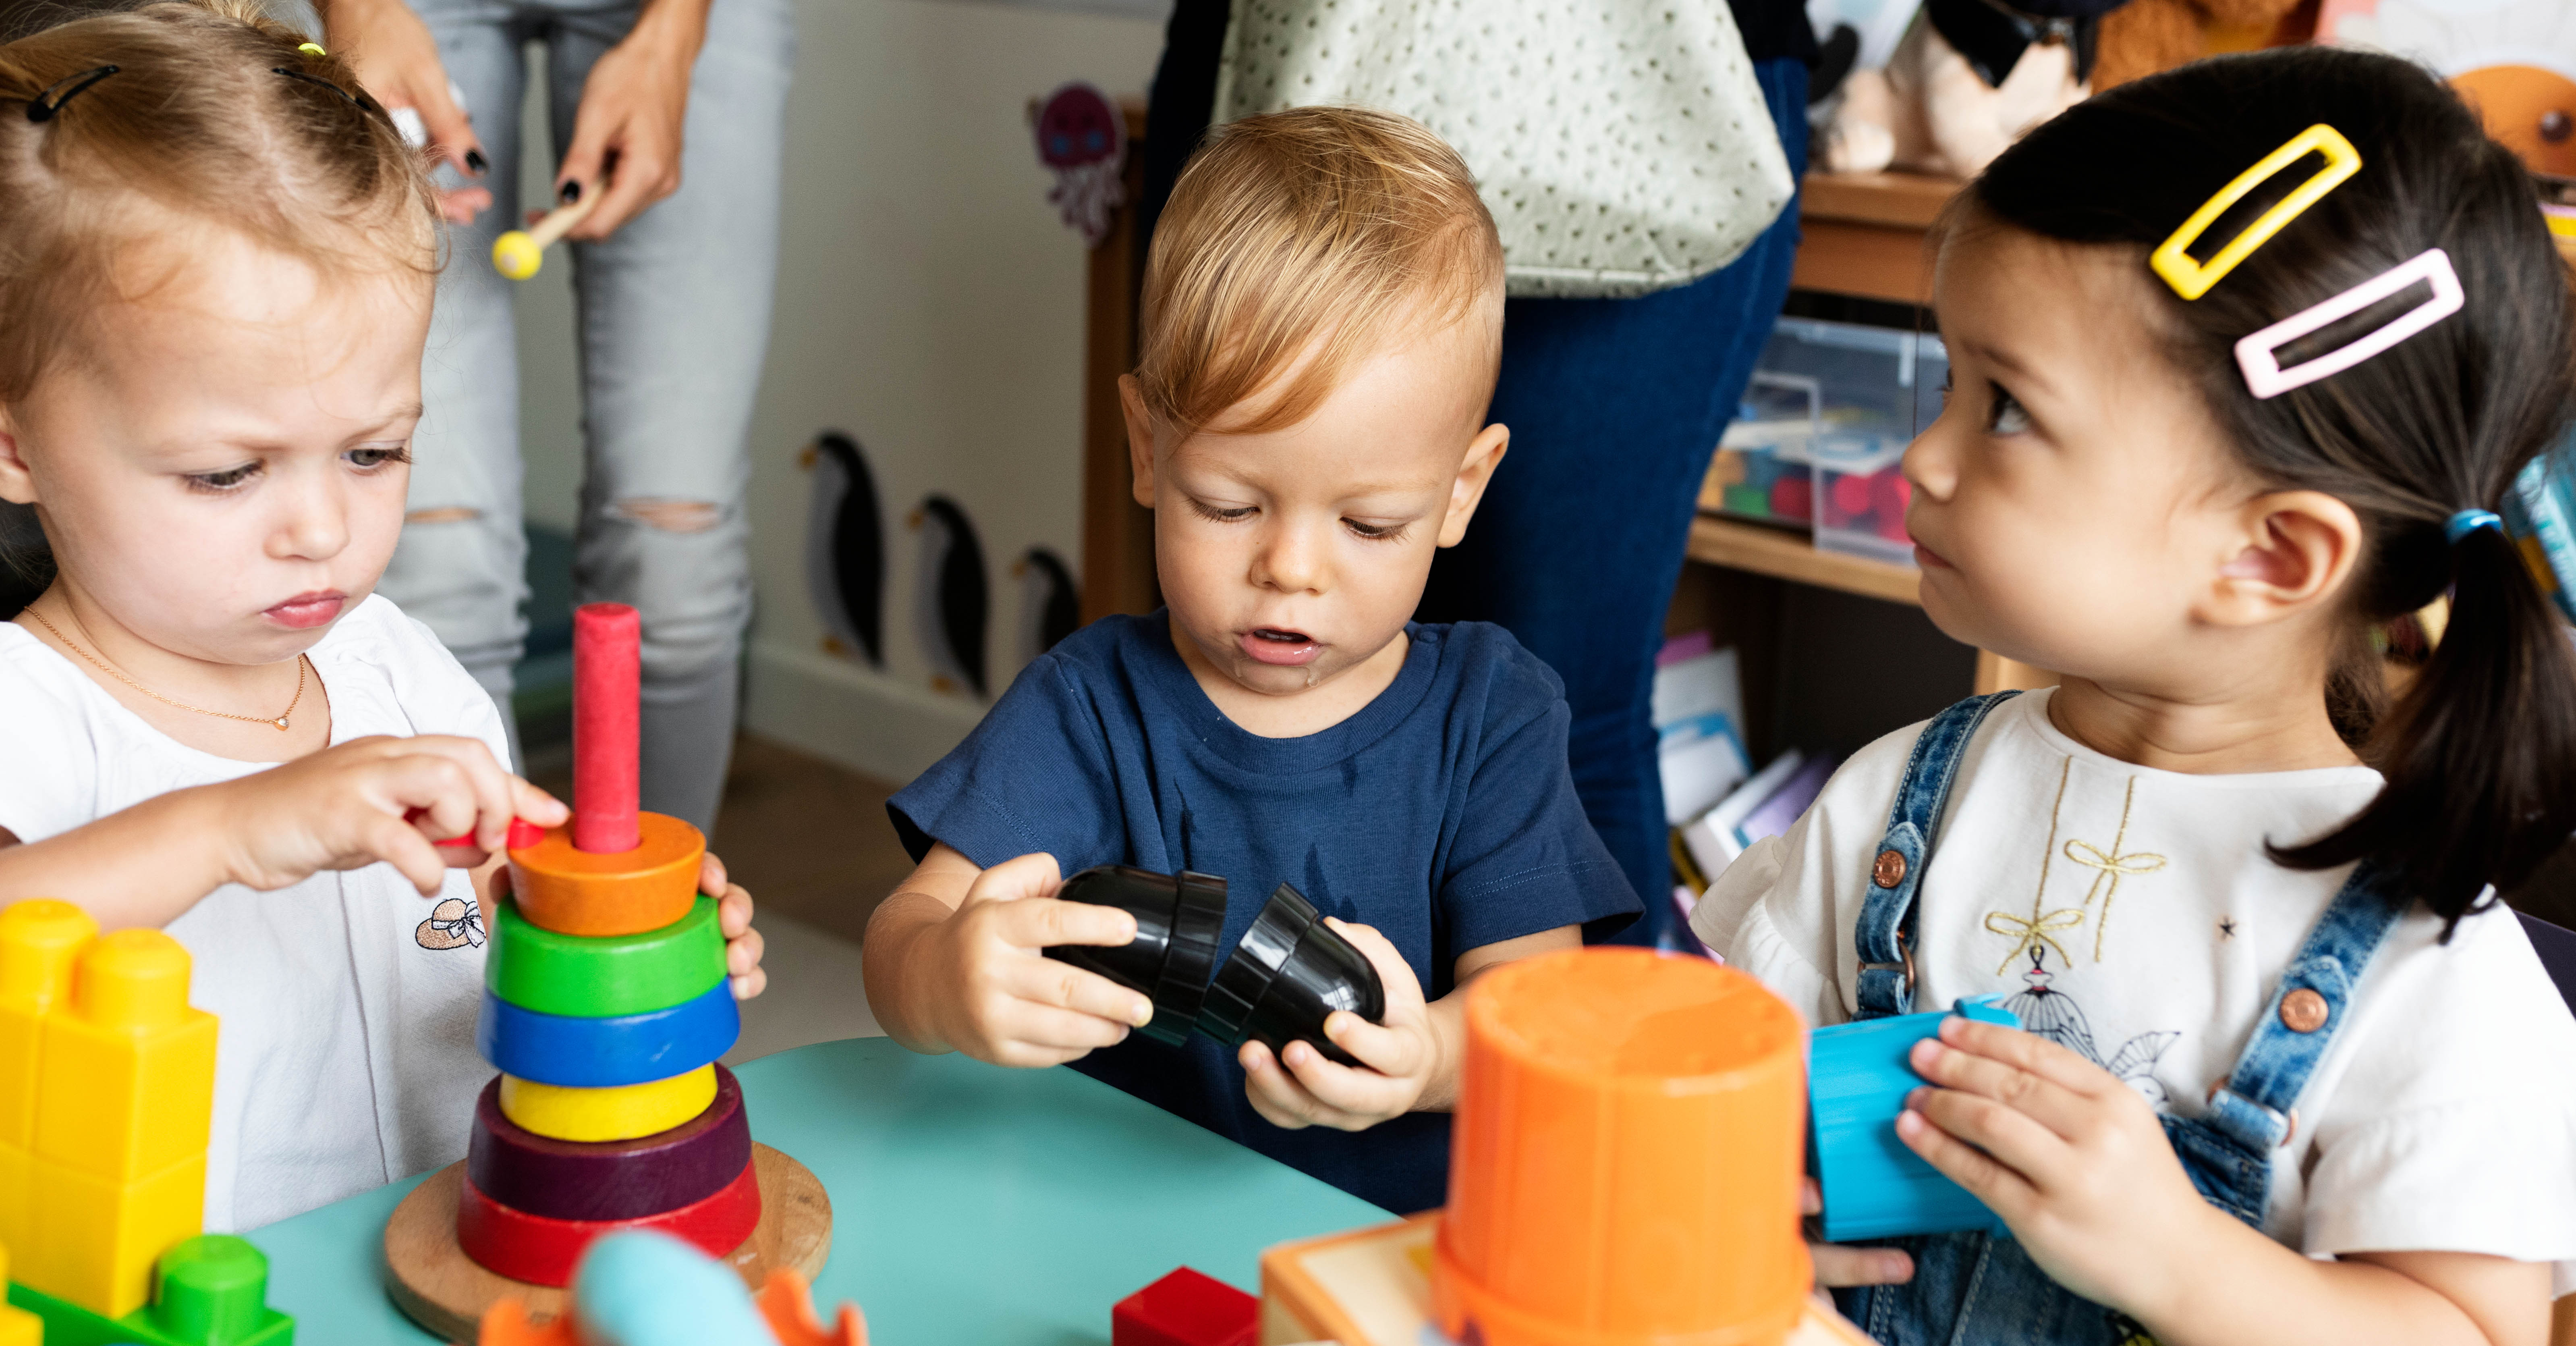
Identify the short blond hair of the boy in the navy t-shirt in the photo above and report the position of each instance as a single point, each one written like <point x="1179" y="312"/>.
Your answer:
<point x="1307" y="233"/>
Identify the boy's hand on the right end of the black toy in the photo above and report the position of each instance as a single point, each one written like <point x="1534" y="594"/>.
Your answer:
<point x="1400" y="1058"/>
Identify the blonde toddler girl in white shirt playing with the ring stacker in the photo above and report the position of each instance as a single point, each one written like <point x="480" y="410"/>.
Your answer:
<point x="215" y="288"/>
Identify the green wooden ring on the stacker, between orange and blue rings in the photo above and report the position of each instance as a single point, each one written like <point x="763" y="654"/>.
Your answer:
<point x="604" y="976"/>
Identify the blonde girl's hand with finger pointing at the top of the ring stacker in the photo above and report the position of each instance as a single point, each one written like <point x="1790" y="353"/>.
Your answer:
<point x="375" y="801"/>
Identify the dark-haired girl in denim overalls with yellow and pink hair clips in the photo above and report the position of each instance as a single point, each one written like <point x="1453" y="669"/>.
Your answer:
<point x="2242" y="362"/>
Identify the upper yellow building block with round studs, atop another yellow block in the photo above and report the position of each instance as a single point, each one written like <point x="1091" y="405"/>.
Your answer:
<point x="125" y="1084"/>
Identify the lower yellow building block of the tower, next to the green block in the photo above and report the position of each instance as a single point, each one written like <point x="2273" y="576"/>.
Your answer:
<point x="102" y="1236"/>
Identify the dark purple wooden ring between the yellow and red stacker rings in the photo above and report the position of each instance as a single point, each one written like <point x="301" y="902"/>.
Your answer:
<point x="617" y="1180"/>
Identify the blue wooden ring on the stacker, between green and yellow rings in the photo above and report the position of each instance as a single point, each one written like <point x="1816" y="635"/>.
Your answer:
<point x="607" y="1053"/>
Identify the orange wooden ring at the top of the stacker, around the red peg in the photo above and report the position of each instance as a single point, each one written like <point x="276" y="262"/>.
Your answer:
<point x="571" y="891"/>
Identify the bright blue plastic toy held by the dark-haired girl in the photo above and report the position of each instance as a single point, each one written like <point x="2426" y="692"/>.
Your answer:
<point x="1859" y="1082"/>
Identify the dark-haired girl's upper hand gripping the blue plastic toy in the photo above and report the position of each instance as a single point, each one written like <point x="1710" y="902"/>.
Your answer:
<point x="2067" y="1154"/>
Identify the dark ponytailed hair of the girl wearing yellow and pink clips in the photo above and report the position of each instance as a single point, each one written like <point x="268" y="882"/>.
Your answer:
<point x="2482" y="752"/>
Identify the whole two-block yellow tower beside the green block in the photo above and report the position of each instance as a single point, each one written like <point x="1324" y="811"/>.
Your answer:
<point x="125" y="1097"/>
